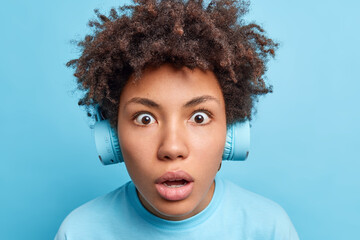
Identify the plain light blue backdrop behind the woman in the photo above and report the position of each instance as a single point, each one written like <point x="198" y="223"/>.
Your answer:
<point x="304" y="149"/>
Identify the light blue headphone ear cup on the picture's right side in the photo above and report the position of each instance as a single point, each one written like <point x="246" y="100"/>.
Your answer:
<point x="237" y="143"/>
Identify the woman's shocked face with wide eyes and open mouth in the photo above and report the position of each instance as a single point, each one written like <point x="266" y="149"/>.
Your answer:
<point x="172" y="131"/>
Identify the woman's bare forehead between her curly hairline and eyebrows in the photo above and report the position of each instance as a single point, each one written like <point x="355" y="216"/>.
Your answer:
<point x="169" y="84"/>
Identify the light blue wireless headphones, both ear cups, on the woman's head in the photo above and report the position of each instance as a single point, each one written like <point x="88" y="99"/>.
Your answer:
<point x="108" y="147"/>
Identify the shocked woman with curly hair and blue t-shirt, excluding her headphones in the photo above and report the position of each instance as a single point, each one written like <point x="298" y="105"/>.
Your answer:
<point x="170" y="77"/>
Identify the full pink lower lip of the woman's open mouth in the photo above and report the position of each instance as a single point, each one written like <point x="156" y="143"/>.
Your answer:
<point x="174" y="193"/>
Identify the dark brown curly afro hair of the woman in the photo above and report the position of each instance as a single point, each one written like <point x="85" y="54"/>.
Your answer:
<point x="150" y="33"/>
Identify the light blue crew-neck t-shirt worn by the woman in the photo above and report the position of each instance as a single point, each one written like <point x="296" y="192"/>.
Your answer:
<point x="233" y="213"/>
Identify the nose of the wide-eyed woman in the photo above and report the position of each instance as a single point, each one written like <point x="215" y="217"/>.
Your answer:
<point x="173" y="143"/>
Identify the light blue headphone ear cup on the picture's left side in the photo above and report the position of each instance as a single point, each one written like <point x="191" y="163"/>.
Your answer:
<point x="107" y="143"/>
